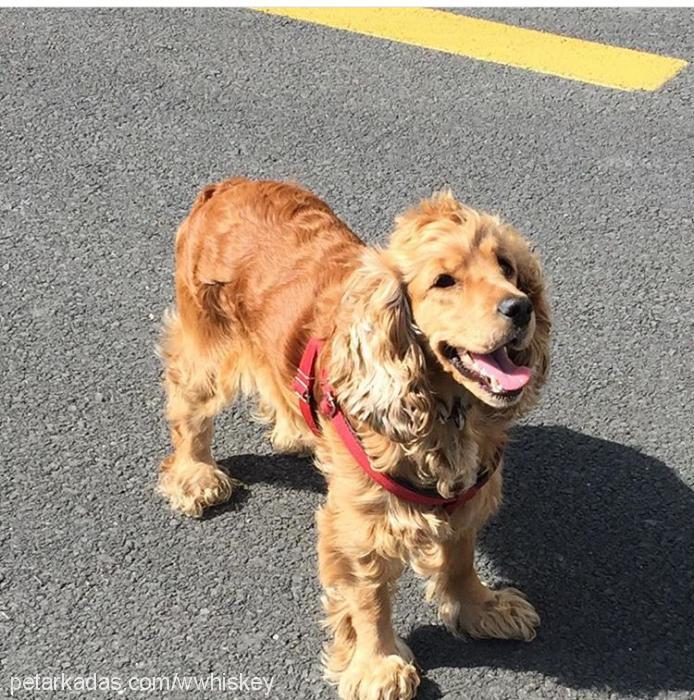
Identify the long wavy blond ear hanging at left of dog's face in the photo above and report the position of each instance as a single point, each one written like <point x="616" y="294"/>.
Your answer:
<point x="377" y="364"/>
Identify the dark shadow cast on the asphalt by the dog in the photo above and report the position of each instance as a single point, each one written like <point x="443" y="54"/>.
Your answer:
<point x="600" y="537"/>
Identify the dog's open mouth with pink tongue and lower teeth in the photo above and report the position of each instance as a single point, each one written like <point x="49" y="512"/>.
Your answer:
<point x="495" y="372"/>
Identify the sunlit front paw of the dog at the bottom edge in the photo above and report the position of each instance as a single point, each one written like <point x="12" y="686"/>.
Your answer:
<point x="379" y="678"/>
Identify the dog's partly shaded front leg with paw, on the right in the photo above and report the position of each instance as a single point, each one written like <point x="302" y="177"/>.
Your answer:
<point x="465" y="604"/>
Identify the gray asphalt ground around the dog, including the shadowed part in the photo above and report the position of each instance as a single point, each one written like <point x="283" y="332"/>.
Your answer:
<point x="110" y="123"/>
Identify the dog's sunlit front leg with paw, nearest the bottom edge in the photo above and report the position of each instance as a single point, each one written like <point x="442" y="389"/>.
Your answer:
<point x="365" y="658"/>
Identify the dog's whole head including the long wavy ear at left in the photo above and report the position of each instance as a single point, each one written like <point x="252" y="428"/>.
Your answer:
<point x="453" y="284"/>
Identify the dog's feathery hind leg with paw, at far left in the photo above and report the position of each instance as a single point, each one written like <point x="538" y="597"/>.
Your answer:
<point x="189" y="478"/>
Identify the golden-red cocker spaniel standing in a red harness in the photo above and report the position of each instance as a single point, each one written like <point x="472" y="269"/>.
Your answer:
<point x="427" y="351"/>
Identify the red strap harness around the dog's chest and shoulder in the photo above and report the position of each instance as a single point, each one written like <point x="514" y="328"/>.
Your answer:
<point x="304" y="384"/>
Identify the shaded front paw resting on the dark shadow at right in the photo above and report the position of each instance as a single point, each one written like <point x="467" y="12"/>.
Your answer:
<point x="503" y="614"/>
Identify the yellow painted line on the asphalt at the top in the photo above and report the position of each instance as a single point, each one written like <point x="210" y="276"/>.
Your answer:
<point x="567" y="57"/>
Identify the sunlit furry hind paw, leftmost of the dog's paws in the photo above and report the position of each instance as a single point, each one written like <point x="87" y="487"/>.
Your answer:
<point x="192" y="486"/>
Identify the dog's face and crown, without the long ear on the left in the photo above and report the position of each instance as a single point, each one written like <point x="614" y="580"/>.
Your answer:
<point x="477" y="295"/>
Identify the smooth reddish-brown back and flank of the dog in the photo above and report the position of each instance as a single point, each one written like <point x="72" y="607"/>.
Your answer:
<point x="254" y="257"/>
